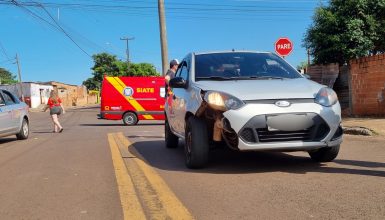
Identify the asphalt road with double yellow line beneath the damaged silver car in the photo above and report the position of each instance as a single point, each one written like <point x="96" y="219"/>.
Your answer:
<point x="75" y="175"/>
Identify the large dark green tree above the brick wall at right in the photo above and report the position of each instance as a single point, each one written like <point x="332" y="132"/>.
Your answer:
<point x="346" y="29"/>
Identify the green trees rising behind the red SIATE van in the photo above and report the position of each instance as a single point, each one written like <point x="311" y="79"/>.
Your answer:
<point x="107" y="64"/>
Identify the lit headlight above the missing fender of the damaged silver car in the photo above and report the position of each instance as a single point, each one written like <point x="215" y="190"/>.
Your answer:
<point x="222" y="101"/>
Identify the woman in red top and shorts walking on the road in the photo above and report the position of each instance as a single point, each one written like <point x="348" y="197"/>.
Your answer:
<point x="55" y="109"/>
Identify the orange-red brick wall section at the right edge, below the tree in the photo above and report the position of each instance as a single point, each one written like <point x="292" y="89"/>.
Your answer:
<point x="367" y="77"/>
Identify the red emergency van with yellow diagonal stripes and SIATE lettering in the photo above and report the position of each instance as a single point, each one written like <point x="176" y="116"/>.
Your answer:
<point x="132" y="99"/>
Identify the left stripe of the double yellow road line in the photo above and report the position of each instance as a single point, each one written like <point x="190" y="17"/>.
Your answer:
<point x="131" y="206"/>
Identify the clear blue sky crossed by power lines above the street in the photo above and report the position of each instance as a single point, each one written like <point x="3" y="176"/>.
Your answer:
<point x="47" y="54"/>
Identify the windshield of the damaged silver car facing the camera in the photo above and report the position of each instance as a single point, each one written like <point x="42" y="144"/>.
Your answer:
<point x="242" y="65"/>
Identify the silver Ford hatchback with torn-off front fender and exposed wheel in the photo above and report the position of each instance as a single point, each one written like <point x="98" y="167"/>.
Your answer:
<point x="251" y="101"/>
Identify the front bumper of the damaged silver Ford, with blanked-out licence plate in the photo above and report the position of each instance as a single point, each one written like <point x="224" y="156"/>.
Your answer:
<point x="288" y="135"/>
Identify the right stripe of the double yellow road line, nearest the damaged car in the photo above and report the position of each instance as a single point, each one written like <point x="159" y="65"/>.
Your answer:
<point x="159" y="193"/>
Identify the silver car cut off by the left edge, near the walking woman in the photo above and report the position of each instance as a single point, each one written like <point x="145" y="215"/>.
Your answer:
<point x="14" y="119"/>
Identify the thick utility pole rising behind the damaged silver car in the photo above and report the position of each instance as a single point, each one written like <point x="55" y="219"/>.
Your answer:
<point x="163" y="36"/>
